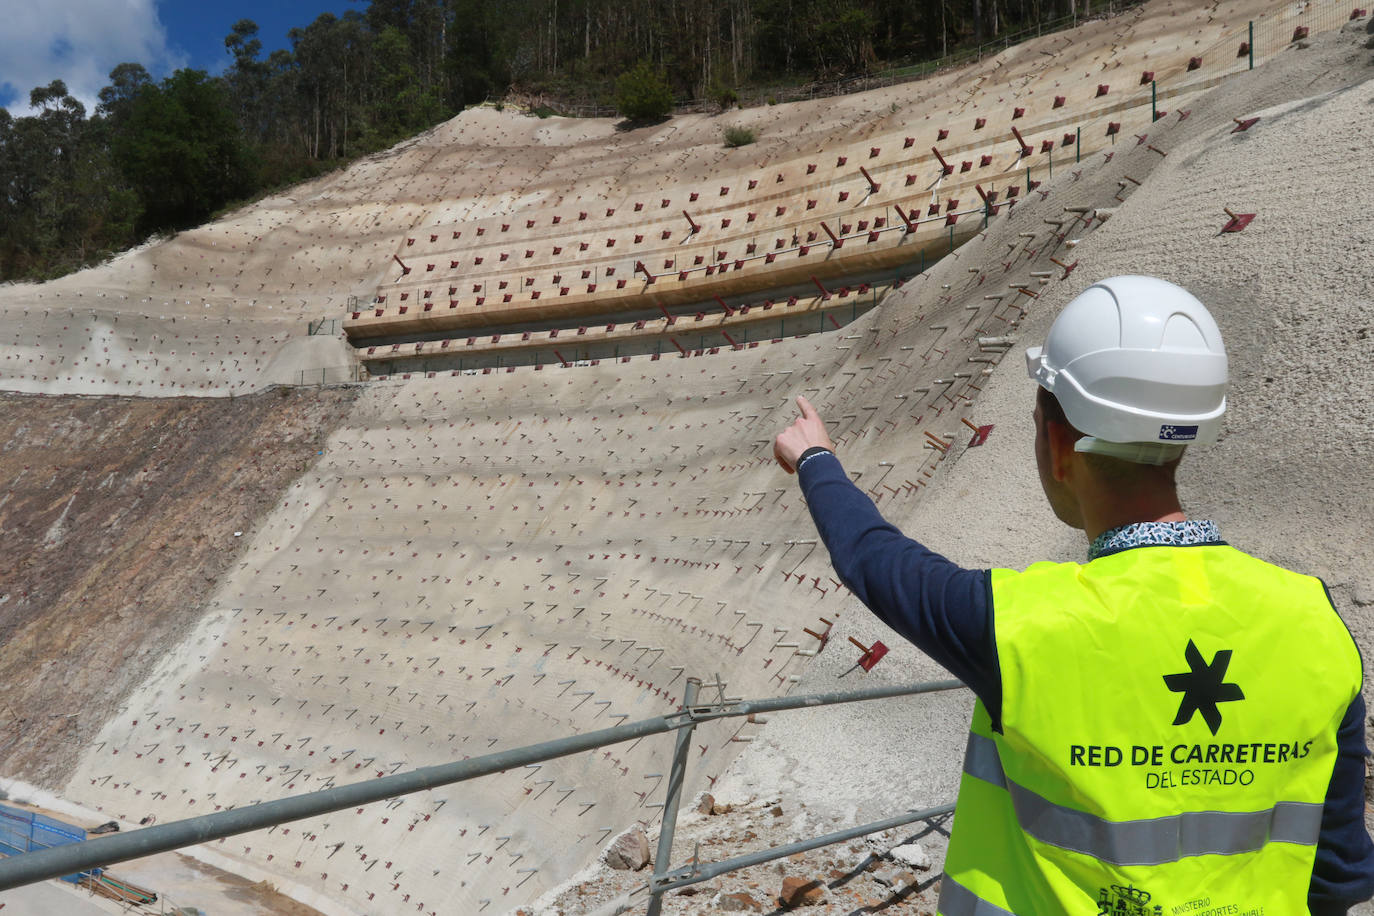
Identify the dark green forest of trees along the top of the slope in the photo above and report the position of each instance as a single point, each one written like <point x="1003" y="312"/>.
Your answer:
<point x="160" y="156"/>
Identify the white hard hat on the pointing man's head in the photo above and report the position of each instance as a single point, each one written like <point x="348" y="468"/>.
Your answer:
<point x="1136" y="360"/>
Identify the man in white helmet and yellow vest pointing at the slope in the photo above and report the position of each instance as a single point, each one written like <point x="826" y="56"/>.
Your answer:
<point x="1171" y="729"/>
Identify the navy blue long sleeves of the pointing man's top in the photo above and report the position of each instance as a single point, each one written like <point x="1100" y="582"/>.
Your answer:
<point x="947" y="612"/>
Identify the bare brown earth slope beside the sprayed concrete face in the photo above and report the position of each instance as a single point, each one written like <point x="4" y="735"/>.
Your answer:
<point x="119" y="516"/>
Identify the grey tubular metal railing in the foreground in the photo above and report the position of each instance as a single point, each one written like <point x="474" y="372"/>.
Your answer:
<point x="42" y="865"/>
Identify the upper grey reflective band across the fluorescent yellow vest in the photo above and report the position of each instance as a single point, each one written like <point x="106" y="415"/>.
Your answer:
<point x="1145" y="843"/>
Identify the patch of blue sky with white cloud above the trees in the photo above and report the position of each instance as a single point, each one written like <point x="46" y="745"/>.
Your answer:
<point x="80" y="42"/>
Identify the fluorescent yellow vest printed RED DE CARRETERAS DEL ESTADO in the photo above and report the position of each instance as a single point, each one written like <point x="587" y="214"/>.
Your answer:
<point x="1169" y="733"/>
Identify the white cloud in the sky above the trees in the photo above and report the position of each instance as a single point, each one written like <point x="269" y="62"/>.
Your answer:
<point x="78" y="42"/>
